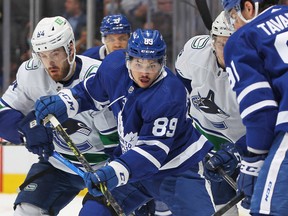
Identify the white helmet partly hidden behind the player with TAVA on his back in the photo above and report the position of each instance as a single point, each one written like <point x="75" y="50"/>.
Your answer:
<point x="220" y="27"/>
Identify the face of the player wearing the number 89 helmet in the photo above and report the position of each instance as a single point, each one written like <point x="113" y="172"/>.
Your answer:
<point x="144" y="71"/>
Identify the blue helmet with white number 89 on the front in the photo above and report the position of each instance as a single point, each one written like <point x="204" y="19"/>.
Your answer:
<point x="146" y="44"/>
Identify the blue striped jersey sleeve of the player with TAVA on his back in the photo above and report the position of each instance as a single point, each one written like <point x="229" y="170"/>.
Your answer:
<point x="248" y="78"/>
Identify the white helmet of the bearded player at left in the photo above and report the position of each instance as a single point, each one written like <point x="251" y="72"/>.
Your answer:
<point x="52" y="33"/>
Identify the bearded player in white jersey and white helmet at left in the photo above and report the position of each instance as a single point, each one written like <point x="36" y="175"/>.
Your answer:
<point x="50" y="186"/>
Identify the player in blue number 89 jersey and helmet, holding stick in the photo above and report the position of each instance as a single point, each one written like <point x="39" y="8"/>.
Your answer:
<point x="160" y="151"/>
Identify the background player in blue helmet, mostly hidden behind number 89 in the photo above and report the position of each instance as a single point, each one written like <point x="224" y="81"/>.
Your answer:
<point x="115" y="31"/>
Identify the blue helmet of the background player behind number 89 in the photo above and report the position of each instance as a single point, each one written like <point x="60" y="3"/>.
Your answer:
<point x="115" y="24"/>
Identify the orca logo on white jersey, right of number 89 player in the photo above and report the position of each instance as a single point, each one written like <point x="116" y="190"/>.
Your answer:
<point x="211" y="111"/>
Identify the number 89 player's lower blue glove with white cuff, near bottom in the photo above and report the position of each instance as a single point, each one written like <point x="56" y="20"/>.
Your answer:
<point x="113" y="175"/>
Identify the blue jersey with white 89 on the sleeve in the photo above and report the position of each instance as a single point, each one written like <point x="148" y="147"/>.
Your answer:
<point x="156" y="135"/>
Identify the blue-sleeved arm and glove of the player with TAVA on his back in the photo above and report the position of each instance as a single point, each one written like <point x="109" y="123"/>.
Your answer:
<point x="258" y="109"/>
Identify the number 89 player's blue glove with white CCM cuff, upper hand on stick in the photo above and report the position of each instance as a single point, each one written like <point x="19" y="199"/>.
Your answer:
<point x="62" y="106"/>
